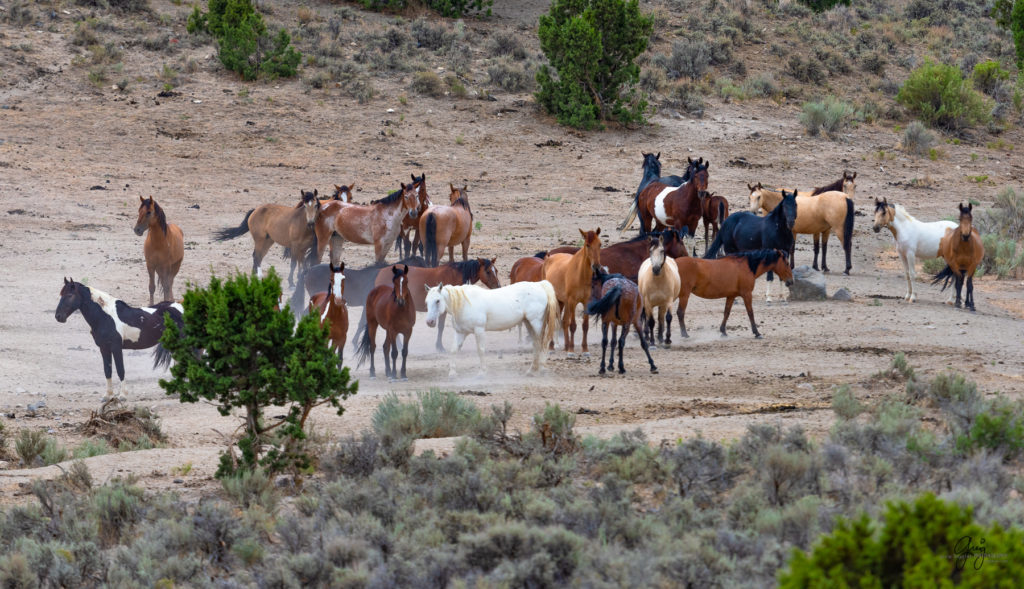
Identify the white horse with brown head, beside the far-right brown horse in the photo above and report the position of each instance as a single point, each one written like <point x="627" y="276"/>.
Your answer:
<point x="914" y="239"/>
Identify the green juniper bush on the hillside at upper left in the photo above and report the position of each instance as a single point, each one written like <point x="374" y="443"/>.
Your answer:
<point x="244" y="45"/>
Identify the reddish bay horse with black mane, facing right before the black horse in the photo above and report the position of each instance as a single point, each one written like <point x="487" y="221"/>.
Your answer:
<point x="729" y="278"/>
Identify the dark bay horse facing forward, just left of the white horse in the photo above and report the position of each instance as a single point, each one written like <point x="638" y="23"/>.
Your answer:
<point x="391" y="308"/>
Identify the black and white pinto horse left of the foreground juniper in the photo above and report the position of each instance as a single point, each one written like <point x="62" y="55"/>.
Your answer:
<point x="117" y="326"/>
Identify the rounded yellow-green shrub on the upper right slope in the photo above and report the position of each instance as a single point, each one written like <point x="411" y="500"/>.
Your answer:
<point x="941" y="97"/>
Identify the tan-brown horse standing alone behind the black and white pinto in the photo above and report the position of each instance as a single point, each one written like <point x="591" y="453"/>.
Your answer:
<point x="165" y="247"/>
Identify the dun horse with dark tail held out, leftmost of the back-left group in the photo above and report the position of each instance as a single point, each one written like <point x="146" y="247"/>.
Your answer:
<point x="290" y="227"/>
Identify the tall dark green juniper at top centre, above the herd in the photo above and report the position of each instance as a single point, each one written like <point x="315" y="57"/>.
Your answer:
<point x="591" y="47"/>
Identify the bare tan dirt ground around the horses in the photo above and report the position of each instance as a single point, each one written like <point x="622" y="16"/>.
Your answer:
<point x="74" y="160"/>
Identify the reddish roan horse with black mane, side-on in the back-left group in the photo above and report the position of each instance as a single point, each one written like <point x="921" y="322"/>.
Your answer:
<point x="377" y="224"/>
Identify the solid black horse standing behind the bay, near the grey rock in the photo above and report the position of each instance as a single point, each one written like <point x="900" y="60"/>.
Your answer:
<point x="747" y="232"/>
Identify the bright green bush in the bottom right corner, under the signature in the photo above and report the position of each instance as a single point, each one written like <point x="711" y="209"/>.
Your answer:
<point x="912" y="548"/>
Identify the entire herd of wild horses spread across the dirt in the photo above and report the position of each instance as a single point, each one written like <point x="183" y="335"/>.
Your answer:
<point x="632" y="284"/>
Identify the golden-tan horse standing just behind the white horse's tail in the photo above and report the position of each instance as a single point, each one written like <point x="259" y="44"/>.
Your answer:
<point x="571" y="275"/>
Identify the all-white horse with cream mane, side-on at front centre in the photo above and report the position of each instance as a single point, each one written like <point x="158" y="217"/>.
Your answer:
<point x="474" y="310"/>
